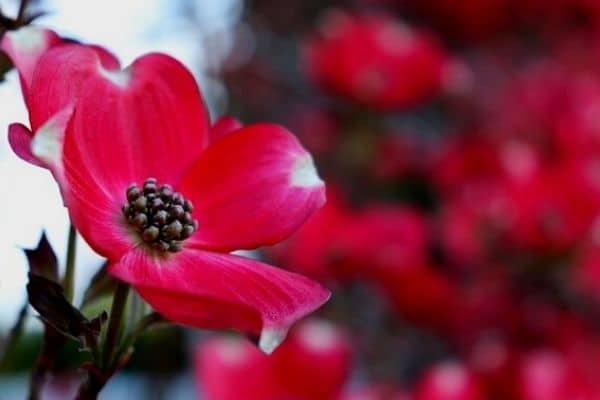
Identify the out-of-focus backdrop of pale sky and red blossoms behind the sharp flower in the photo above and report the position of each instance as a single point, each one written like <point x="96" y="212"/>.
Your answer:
<point x="460" y="141"/>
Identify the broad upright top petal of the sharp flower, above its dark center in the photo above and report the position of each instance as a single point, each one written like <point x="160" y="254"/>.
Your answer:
<point x="147" y="120"/>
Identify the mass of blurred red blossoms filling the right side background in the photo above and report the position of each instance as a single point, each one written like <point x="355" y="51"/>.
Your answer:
<point x="460" y="141"/>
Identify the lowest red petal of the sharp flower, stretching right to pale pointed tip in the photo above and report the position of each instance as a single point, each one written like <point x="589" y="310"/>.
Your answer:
<point x="213" y="290"/>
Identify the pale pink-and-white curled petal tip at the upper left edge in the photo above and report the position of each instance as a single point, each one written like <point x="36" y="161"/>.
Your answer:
<point x="24" y="47"/>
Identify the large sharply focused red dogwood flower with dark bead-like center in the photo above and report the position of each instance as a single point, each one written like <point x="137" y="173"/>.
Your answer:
<point x="151" y="189"/>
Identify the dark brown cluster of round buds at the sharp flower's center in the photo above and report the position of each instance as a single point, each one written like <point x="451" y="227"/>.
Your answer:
<point x="163" y="218"/>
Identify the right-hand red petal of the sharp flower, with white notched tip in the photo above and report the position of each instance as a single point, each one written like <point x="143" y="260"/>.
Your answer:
<point x="253" y="187"/>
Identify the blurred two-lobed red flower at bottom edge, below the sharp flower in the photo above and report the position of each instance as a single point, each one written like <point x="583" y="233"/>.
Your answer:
<point x="317" y="344"/>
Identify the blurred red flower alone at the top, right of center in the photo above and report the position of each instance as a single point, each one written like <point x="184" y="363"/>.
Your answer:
<point x="377" y="61"/>
